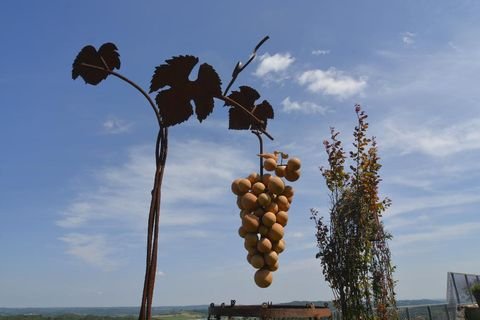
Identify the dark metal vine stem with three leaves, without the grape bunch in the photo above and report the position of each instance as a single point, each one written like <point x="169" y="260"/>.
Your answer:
<point x="172" y="106"/>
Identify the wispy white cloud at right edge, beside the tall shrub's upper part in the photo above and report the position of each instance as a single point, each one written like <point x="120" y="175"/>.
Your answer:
<point x="433" y="140"/>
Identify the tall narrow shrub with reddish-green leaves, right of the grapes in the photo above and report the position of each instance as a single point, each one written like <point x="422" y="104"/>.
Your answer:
<point x="353" y="248"/>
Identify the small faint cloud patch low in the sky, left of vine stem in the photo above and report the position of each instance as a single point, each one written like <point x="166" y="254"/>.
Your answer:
<point x="92" y="249"/>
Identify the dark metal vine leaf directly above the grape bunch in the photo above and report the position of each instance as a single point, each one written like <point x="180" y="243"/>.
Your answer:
<point x="239" y="120"/>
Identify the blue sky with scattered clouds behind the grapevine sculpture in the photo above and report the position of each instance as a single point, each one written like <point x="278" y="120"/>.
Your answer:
<point x="76" y="164"/>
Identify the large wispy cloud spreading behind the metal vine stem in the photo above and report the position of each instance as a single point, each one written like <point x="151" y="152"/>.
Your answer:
<point x="198" y="175"/>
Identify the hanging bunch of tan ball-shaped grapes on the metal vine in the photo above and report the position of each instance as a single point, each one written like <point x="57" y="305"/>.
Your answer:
<point x="264" y="201"/>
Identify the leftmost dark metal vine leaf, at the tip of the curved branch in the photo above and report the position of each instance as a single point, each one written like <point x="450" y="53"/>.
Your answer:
<point x="106" y="57"/>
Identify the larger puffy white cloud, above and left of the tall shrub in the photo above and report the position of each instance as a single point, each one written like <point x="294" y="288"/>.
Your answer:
<point x="332" y="82"/>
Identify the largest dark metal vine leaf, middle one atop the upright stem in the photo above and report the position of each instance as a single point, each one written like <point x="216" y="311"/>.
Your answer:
<point x="174" y="103"/>
